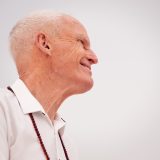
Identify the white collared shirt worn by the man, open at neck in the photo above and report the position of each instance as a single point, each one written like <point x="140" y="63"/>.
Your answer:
<point x="18" y="140"/>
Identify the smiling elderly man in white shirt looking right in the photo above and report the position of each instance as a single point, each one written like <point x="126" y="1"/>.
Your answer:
<point x="53" y="57"/>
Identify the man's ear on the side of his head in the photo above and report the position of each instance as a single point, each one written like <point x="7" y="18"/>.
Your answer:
<point x="43" y="44"/>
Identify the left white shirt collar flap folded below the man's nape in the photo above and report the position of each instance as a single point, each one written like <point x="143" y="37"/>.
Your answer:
<point x="28" y="102"/>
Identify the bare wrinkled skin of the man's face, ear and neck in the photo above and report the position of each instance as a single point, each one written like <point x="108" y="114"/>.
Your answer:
<point x="60" y="66"/>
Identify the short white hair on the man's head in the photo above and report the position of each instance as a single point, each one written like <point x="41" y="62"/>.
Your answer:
<point x="23" y="34"/>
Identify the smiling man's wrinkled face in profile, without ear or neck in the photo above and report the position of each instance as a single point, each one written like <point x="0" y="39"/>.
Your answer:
<point x="74" y="57"/>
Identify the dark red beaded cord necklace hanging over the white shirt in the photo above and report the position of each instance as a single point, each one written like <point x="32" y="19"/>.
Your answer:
<point x="39" y="136"/>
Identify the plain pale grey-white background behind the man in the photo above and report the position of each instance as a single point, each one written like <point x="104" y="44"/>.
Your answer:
<point x="119" y="119"/>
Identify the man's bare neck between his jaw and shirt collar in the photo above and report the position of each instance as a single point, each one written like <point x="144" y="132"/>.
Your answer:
<point x="50" y="93"/>
